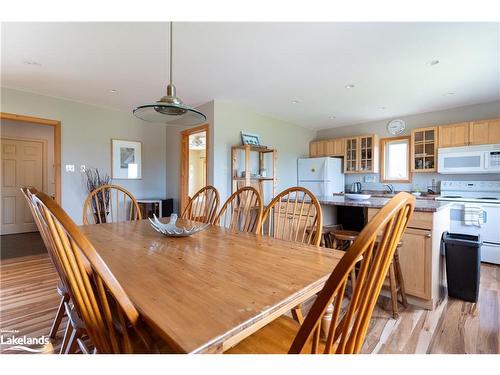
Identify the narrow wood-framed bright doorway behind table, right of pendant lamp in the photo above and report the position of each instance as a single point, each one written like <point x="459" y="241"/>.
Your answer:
<point x="194" y="166"/>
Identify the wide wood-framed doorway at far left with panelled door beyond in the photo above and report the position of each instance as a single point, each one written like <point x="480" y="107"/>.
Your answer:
<point x="30" y="156"/>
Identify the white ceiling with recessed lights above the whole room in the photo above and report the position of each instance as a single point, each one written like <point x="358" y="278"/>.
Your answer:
<point x="263" y="66"/>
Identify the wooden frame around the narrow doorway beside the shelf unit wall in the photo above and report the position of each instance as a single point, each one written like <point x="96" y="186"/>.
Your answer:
<point x="184" y="174"/>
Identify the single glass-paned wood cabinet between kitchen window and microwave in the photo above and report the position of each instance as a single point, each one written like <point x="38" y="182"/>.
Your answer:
<point x="424" y="149"/>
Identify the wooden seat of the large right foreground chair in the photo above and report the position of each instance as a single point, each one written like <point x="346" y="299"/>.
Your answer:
<point x="274" y="338"/>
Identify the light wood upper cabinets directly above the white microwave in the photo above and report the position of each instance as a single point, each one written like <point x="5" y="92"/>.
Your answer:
<point x="470" y="133"/>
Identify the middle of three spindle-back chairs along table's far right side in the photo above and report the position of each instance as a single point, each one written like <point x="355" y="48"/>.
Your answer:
<point x="242" y="211"/>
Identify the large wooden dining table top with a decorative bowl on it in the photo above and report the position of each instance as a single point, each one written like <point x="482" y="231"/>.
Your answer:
<point x="207" y="292"/>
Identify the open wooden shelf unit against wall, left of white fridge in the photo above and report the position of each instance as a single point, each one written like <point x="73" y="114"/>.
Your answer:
<point x="257" y="182"/>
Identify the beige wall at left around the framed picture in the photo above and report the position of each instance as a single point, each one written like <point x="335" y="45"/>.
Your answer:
<point x="86" y="133"/>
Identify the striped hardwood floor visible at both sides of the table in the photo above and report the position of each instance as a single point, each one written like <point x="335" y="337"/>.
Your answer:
<point x="28" y="302"/>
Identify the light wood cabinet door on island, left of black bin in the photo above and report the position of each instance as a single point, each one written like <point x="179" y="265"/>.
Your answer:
<point x="415" y="258"/>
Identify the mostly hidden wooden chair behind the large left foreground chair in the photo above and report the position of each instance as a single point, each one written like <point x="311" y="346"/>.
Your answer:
<point x="62" y="289"/>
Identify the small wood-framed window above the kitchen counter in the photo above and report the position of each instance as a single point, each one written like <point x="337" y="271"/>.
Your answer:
<point x="395" y="155"/>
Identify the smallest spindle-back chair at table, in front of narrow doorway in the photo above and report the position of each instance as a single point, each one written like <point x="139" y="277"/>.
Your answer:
<point x="203" y="206"/>
